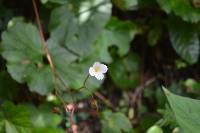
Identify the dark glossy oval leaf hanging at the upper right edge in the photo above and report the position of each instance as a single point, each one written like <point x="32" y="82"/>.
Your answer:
<point x="184" y="39"/>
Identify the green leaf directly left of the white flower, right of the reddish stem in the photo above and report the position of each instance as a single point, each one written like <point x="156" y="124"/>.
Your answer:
<point x="72" y="72"/>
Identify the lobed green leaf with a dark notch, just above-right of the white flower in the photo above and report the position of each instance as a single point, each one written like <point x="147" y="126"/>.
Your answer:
<point x="117" y="33"/>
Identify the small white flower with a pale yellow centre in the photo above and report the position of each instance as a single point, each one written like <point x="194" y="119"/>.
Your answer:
<point x="98" y="70"/>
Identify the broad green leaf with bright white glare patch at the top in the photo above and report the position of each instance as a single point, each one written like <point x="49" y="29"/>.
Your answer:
<point x="78" y="31"/>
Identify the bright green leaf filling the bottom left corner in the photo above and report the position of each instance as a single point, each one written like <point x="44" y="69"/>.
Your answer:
<point x="14" y="119"/>
